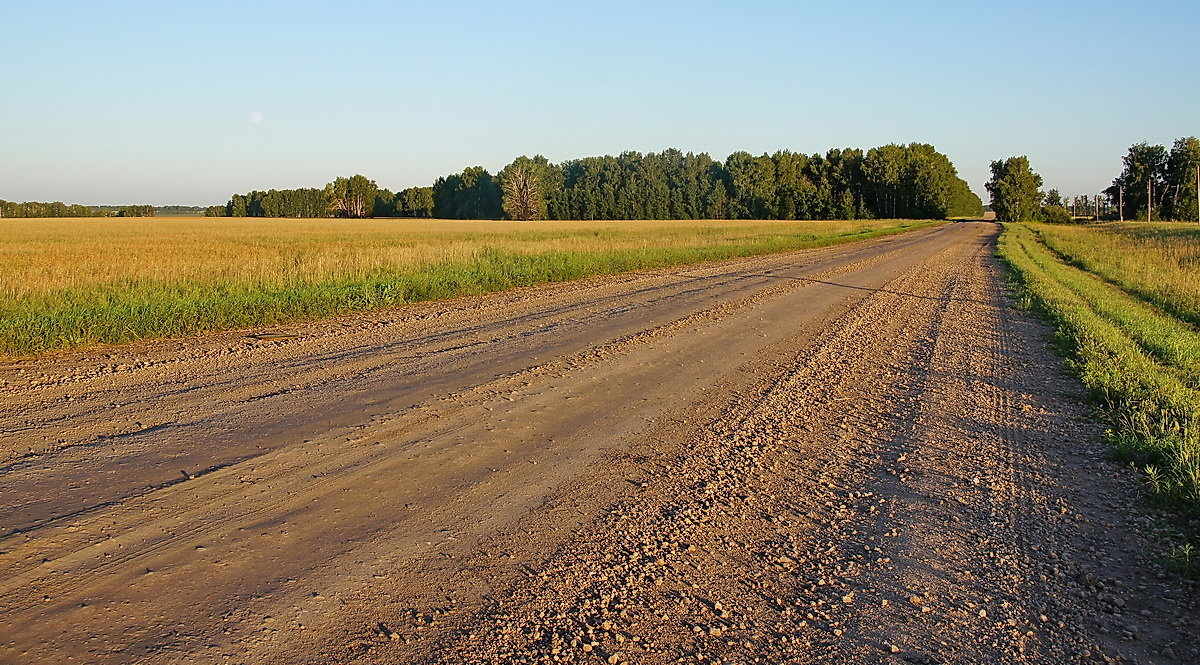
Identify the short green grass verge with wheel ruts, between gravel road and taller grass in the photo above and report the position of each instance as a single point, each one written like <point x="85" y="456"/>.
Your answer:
<point x="1138" y="361"/>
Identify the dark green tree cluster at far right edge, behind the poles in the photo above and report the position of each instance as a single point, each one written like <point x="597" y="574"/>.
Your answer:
<point x="1160" y="182"/>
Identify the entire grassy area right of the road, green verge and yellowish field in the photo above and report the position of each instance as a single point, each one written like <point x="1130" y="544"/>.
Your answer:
<point x="1133" y="343"/>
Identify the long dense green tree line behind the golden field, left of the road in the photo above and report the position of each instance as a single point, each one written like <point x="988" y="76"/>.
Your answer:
<point x="897" y="182"/>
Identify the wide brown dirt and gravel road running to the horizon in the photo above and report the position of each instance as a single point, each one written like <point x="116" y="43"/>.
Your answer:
<point x="849" y="456"/>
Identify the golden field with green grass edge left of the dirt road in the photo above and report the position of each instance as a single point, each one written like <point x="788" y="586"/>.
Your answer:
<point x="74" y="284"/>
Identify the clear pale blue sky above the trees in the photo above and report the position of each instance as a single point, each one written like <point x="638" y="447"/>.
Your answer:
<point x="154" y="103"/>
